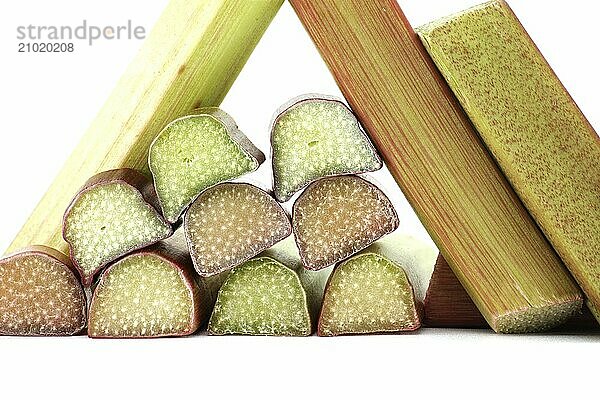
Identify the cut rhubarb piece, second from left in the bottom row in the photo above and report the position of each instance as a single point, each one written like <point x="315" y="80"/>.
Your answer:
<point x="150" y="293"/>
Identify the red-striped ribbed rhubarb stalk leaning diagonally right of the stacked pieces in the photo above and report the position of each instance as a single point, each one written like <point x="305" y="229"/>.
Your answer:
<point x="438" y="159"/>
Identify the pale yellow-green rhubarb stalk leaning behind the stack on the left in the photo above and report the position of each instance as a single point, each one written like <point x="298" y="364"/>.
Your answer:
<point x="182" y="65"/>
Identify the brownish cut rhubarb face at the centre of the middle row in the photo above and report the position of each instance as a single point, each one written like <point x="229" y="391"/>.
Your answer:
<point x="230" y="223"/>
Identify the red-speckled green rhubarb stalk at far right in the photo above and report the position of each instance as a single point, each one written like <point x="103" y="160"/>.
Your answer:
<point x="545" y="146"/>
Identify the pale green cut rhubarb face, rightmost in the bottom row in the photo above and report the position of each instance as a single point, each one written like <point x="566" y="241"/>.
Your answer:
<point x="368" y="294"/>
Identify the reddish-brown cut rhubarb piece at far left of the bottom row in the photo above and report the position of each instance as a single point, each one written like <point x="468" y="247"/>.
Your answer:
<point x="40" y="295"/>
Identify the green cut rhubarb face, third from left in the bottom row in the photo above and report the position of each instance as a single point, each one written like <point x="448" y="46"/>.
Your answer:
<point x="261" y="297"/>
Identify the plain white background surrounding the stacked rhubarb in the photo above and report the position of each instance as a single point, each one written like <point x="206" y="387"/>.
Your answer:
<point x="48" y="100"/>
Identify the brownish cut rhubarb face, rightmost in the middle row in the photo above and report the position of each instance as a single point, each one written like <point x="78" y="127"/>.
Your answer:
<point x="336" y="217"/>
